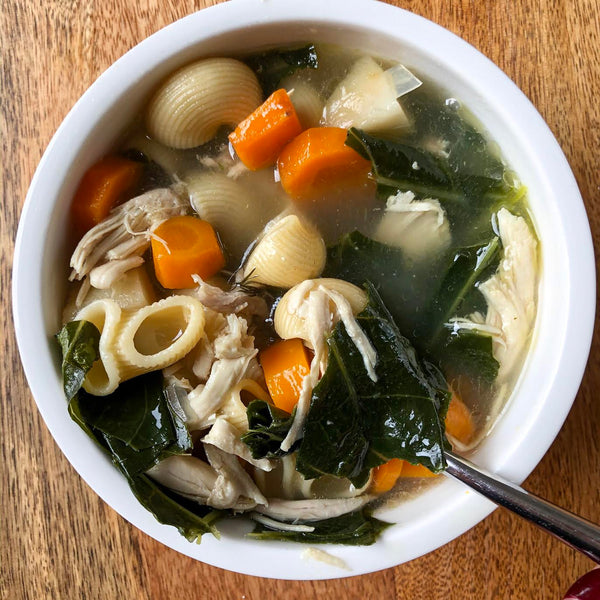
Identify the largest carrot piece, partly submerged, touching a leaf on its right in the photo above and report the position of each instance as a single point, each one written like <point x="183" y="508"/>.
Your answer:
<point x="318" y="162"/>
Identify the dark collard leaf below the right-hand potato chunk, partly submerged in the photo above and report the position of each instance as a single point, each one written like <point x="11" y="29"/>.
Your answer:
<point x="422" y="302"/>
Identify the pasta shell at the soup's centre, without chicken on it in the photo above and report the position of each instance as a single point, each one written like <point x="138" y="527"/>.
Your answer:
<point x="290" y="251"/>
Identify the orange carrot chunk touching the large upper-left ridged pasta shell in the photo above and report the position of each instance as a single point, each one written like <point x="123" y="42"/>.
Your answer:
<point x="260" y="137"/>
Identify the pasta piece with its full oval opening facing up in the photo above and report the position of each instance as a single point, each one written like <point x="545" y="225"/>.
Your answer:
<point x="158" y="335"/>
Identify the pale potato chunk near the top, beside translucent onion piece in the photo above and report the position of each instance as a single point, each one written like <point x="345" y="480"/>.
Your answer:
<point x="366" y="98"/>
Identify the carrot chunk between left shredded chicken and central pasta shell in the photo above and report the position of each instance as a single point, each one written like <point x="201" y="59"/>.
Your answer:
<point x="184" y="246"/>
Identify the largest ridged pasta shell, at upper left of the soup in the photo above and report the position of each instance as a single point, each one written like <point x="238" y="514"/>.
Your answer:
<point x="190" y="106"/>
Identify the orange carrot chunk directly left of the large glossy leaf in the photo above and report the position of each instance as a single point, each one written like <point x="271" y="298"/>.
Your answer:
<point x="285" y="364"/>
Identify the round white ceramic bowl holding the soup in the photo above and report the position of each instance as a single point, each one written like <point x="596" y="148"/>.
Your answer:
<point x="555" y="365"/>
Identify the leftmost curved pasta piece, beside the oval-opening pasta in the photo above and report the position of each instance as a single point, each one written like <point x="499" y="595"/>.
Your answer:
<point x="103" y="378"/>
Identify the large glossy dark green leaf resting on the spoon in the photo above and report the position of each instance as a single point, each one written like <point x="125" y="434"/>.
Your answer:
<point x="354" y="424"/>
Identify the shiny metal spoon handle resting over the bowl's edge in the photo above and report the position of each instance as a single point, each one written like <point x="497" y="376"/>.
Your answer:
<point x="571" y="529"/>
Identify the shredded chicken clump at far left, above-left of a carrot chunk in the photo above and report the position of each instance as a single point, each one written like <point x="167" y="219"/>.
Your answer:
<point x="127" y="230"/>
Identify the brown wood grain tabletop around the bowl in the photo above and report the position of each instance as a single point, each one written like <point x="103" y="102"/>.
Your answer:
<point x="59" y="540"/>
